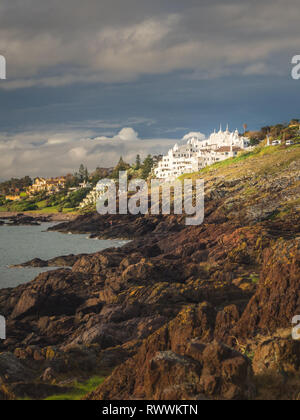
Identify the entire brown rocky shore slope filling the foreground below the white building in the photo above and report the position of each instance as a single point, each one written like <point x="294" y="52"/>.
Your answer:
<point x="180" y="312"/>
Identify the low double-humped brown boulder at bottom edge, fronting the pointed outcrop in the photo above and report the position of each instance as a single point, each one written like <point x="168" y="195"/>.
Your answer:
<point x="219" y="373"/>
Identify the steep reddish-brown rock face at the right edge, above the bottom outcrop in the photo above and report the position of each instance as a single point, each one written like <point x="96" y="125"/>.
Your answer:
<point x="277" y="299"/>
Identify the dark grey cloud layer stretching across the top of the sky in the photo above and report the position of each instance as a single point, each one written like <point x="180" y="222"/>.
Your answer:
<point x="63" y="42"/>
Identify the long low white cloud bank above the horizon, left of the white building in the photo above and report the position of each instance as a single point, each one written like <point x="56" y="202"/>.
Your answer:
<point x="47" y="153"/>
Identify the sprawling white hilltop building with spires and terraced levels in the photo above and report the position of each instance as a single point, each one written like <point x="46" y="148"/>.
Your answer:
<point x="199" y="152"/>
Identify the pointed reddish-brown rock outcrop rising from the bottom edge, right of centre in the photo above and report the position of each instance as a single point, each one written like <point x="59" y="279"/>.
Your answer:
<point x="180" y="361"/>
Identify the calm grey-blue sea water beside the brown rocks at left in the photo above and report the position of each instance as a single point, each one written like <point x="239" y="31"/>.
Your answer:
<point x="19" y="244"/>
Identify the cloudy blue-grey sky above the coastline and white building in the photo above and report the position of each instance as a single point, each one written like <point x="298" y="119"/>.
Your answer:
<point x="90" y="81"/>
